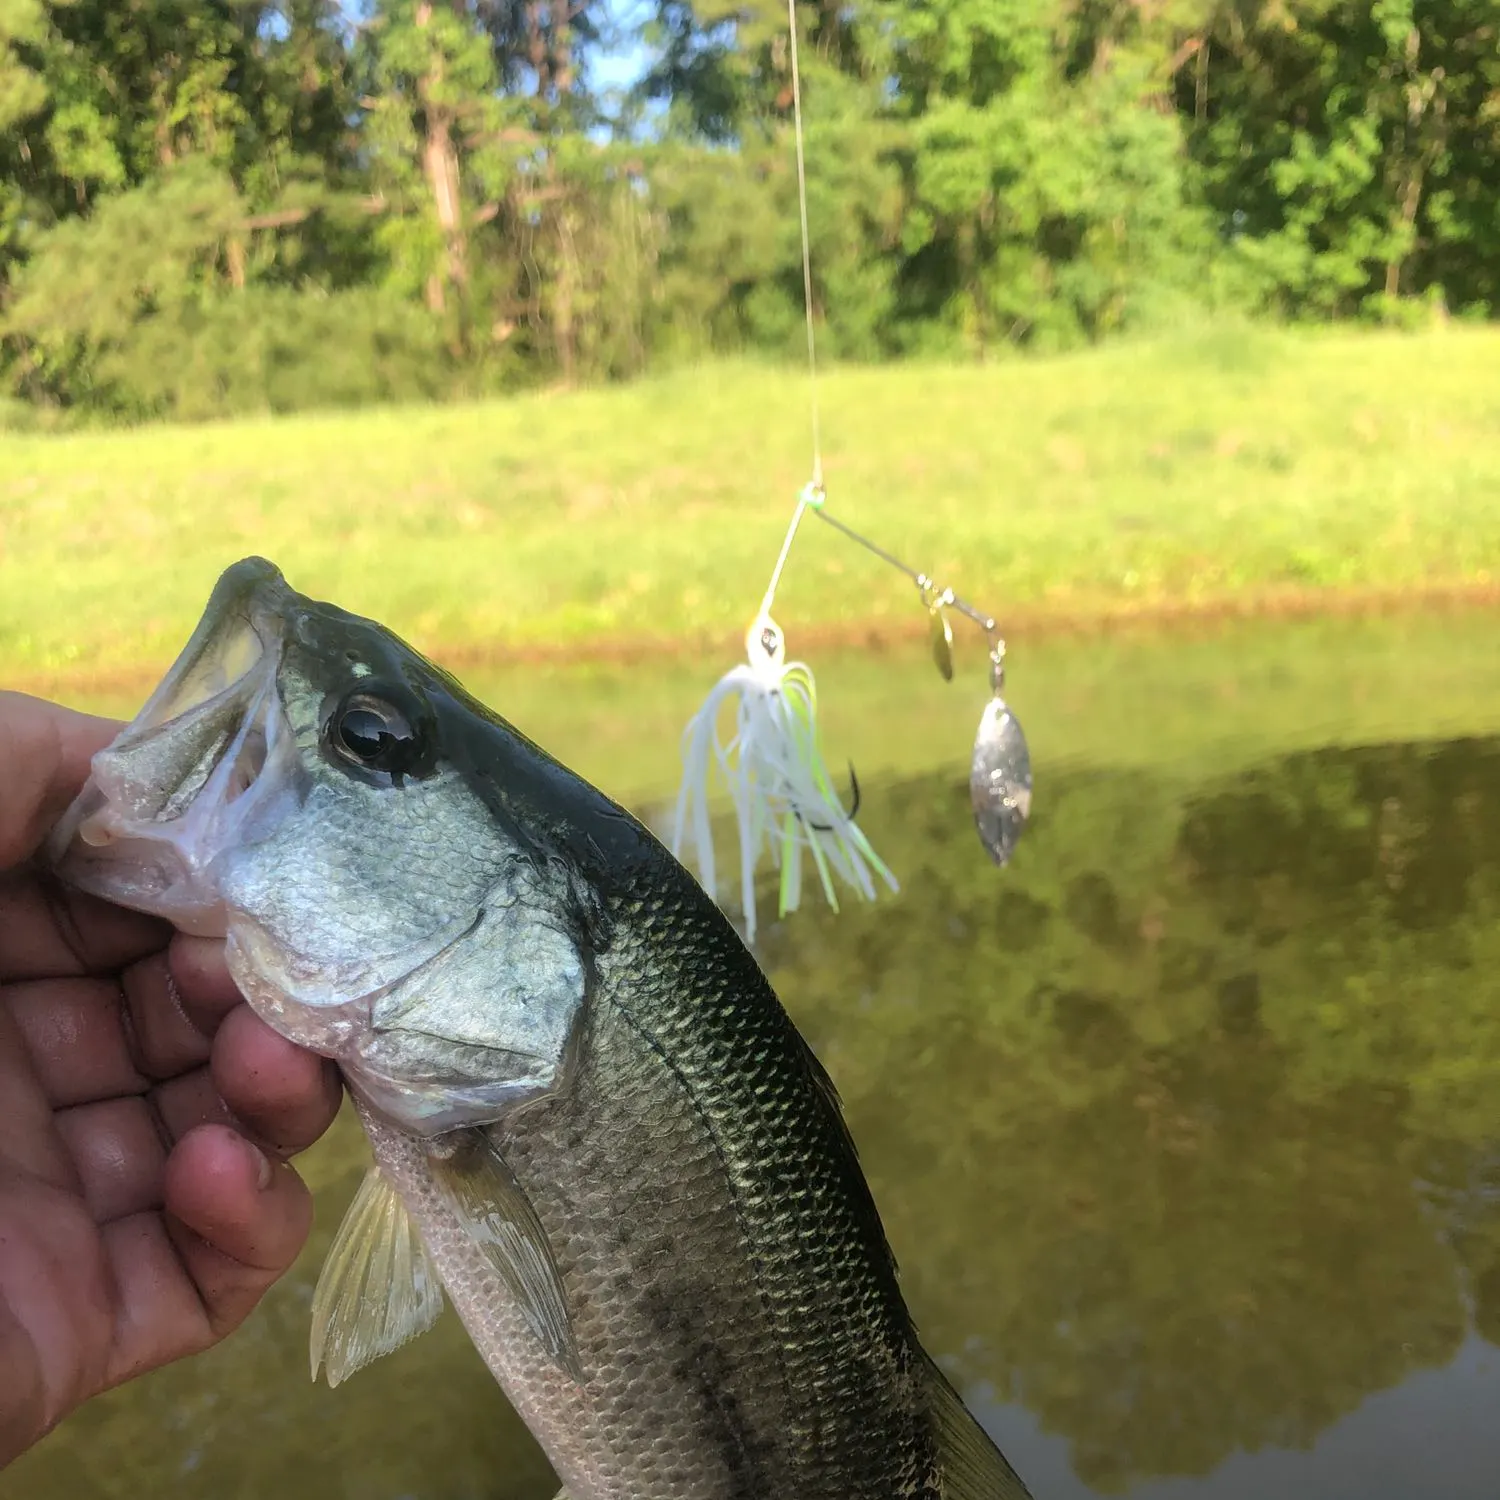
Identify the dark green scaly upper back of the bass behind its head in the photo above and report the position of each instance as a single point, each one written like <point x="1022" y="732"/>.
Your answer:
<point x="821" y="1261"/>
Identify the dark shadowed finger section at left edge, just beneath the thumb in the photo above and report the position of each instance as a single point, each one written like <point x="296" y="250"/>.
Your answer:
<point x="49" y="929"/>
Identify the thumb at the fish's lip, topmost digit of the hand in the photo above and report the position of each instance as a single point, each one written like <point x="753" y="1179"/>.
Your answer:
<point x="44" y="760"/>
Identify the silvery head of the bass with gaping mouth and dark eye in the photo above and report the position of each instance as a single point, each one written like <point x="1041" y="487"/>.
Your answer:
<point x="404" y="883"/>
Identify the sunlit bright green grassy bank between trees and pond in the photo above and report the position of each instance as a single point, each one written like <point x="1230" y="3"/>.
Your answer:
<point x="1223" y="470"/>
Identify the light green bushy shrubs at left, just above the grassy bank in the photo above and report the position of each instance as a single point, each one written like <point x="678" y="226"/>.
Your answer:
<point x="127" y="310"/>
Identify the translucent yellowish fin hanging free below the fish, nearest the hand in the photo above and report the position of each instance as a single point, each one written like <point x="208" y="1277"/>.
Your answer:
<point x="377" y="1289"/>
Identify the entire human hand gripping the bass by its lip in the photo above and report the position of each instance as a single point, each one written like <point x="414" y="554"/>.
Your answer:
<point x="146" y="1118"/>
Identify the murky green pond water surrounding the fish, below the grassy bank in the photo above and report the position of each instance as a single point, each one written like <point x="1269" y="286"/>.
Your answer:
<point x="1186" y="1129"/>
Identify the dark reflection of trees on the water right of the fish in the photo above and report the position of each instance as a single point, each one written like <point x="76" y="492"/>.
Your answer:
<point x="1187" y="1133"/>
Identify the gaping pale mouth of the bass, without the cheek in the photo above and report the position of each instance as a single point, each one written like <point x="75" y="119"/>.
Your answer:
<point x="197" y="770"/>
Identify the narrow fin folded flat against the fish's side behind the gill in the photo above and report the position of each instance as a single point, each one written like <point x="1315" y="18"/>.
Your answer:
<point x="490" y="1202"/>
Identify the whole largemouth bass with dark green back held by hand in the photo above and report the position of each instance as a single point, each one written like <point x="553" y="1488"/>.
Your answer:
<point x="593" y="1123"/>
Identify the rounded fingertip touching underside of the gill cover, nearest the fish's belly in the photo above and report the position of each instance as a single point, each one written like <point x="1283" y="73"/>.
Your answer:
<point x="286" y="1096"/>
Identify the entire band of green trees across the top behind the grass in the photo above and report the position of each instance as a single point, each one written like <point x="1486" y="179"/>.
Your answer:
<point x="982" y="175"/>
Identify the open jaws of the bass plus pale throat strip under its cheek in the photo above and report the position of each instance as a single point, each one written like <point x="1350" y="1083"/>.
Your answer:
<point x="205" y="772"/>
